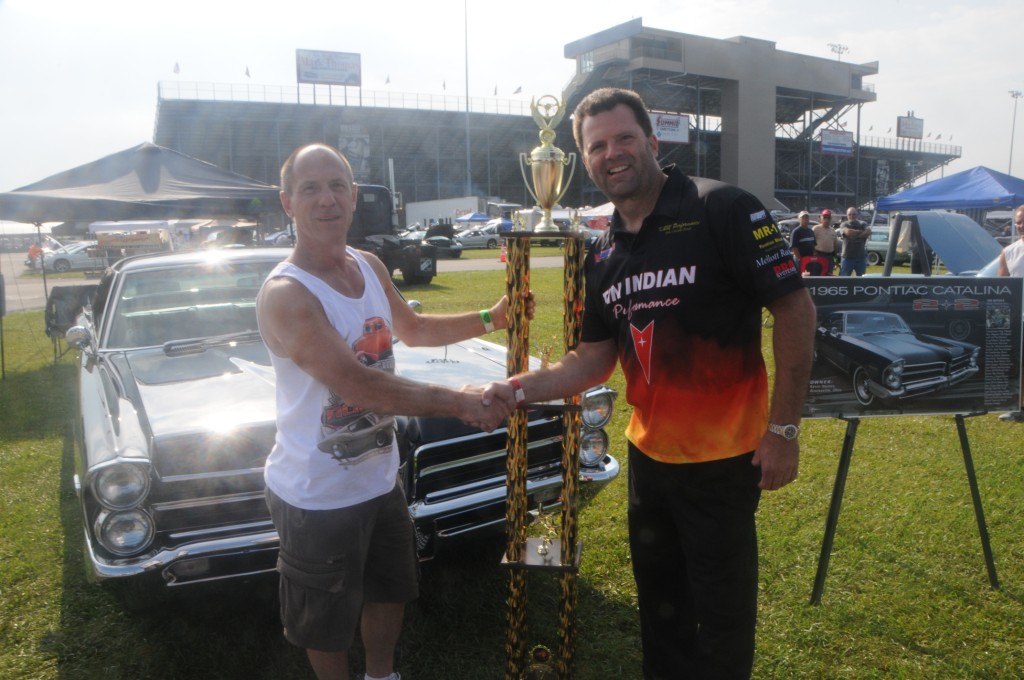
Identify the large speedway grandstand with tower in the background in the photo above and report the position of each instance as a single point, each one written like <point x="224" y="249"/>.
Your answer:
<point x="418" y="144"/>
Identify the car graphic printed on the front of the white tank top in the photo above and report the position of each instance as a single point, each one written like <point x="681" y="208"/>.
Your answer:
<point x="350" y="434"/>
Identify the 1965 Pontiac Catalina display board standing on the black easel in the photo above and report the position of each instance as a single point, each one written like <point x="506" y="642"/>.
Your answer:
<point x="915" y="346"/>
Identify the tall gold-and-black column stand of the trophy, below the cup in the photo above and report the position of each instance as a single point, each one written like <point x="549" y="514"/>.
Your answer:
<point x="523" y="555"/>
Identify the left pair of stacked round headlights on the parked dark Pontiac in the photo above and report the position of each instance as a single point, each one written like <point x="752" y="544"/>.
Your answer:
<point x="121" y="487"/>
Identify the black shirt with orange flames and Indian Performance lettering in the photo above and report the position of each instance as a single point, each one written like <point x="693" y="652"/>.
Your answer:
<point x="682" y="300"/>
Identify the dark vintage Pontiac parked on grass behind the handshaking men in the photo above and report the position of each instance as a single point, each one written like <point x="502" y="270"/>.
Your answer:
<point x="177" y="400"/>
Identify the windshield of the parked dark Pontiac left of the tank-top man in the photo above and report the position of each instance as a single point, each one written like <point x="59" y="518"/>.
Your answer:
<point x="201" y="302"/>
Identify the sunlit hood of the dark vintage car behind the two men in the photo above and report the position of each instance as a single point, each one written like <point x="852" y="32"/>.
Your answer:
<point x="226" y="389"/>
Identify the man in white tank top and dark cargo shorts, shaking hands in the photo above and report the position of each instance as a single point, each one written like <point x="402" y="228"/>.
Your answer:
<point x="327" y="314"/>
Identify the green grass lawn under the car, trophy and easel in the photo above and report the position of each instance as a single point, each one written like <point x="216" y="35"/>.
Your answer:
<point x="907" y="597"/>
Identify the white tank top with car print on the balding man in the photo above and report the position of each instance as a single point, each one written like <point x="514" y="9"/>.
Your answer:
<point x="327" y="454"/>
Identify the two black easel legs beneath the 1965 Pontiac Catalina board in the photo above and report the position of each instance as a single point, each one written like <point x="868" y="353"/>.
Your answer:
<point x="837" y="501"/>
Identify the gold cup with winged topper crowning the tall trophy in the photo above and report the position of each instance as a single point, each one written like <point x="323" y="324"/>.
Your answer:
<point x="547" y="162"/>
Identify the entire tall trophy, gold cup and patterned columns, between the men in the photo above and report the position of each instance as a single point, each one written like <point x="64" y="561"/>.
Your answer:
<point x="558" y="556"/>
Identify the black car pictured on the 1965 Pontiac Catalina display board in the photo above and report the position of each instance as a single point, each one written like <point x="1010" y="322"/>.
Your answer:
<point x="887" y="361"/>
